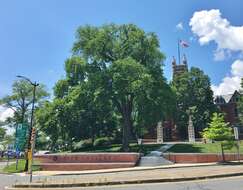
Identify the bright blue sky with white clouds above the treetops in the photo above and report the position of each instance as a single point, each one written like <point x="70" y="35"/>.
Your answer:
<point x="36" y="36"/>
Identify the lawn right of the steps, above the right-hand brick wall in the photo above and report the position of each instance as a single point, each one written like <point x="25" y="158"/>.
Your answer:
<point x="202" y="148"/>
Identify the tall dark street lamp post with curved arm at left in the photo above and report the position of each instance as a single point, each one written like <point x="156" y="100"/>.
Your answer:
<point x="34" y="84"/>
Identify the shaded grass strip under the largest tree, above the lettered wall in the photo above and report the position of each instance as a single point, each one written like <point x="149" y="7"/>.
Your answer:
<point x="145" y="148"/>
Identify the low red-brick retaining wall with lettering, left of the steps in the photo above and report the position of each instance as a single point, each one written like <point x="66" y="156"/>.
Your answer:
<point x="87" y="161"/>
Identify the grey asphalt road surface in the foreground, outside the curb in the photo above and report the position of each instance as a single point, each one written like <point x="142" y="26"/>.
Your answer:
<point x="232" y="183"/>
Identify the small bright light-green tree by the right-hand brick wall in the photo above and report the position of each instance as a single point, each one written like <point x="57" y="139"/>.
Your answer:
<point x="219" y="130"/>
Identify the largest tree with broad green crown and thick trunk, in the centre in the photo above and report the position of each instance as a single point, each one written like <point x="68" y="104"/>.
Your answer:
<point x="114" y="76"/>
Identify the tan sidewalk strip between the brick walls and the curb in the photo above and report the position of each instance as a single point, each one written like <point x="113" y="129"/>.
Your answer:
<point x="140" y="176"/>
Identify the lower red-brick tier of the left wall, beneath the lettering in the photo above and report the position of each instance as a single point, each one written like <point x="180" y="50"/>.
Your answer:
<point x="84" y="166"/>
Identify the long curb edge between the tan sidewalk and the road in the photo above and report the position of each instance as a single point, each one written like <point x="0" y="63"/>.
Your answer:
<point x="156" y="180"/>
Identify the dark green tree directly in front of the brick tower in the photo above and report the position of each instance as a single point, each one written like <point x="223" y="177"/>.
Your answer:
<point x="193" y="90"/>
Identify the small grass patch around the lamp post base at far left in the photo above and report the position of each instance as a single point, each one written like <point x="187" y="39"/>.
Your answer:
<point x="11" y="168"/>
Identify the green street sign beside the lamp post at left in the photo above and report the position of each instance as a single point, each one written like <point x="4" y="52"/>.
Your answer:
<point x="21" y="136"/>
